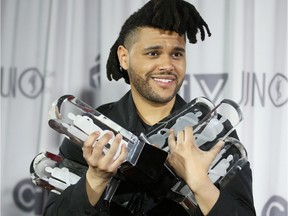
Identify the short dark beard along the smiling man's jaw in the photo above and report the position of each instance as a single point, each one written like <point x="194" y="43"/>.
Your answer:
<point x="146" y="91"/>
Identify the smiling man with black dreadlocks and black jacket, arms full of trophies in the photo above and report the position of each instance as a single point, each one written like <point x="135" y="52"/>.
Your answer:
<point x="150" y="55"/>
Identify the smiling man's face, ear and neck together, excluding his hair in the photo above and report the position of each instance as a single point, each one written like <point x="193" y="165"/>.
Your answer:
<point x="155" y="62"/>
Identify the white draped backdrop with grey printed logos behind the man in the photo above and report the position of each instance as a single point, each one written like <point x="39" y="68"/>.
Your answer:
<point x="50" y="48"/>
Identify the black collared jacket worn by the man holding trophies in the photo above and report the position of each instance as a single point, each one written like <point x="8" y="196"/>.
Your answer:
<point x="235" y="199"/>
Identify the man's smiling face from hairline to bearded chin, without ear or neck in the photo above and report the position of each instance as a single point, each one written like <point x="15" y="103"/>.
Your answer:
<point x="156" y="64"/>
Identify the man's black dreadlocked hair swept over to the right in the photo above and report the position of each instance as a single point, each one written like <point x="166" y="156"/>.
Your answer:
<point x="172" y="15"/>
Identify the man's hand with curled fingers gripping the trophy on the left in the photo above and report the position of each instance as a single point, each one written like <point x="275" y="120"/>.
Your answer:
<point x="101" y="166"/>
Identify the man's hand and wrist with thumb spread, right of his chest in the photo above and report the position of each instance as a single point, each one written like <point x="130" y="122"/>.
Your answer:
<point x="192" y="164"/>
